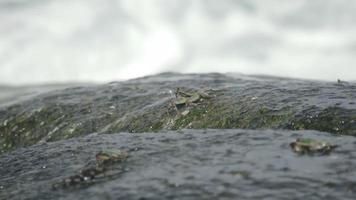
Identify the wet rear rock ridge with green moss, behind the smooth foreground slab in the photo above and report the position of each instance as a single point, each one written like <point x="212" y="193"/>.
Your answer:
<point x="152" y="104"/>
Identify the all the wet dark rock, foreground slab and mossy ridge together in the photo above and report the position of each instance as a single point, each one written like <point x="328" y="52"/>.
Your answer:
<point x="175" y="136"/>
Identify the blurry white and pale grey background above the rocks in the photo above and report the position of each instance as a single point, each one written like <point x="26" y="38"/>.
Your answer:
<point x="45" y="41"/>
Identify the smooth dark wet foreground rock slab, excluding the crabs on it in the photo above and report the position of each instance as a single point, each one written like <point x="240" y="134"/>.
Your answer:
<point x="189" y="164"/>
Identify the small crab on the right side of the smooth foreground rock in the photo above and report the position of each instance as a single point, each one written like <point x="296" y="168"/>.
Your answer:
<point x="311" y="146"/>
